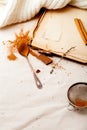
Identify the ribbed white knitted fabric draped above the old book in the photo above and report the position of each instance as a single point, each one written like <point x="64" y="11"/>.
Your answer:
<point x="14" y="11"/>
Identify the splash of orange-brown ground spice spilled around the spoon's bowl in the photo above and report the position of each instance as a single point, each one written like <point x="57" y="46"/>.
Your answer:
<point x="22" y="39"/>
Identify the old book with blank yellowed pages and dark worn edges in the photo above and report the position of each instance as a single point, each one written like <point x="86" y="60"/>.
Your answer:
<point x="57" y="33"/>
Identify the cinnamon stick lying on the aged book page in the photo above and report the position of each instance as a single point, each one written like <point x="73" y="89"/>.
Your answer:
<point x="81" y="29"/>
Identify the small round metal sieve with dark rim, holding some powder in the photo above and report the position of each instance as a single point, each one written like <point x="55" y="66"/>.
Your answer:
<point x="77" y="95"/>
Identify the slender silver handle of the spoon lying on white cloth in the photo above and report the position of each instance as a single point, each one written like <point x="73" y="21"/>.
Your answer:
<point x="37" y="81"/>
